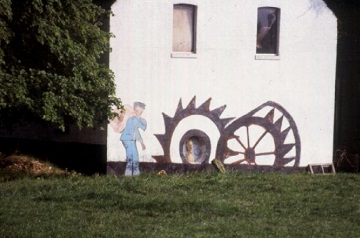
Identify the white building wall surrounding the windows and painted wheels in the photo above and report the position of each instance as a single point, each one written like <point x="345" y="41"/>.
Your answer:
<point x="225" y="69"/>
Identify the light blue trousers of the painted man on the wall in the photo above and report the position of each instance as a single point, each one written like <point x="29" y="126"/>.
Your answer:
<point x="132" y="158"/>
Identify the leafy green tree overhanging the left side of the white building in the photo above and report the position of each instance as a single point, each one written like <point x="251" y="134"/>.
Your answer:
<point x="49" y="63"/>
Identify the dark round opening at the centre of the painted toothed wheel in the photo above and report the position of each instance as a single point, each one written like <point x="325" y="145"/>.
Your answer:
<point x="195" y="147"/>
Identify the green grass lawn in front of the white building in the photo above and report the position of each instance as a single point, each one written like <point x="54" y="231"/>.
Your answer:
<point x="235" y="204"/>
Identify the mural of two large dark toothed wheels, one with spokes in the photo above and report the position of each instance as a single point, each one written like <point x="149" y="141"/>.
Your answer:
<point x="265" y="135"/>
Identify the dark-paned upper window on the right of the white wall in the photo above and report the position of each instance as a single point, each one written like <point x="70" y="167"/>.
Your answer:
<point x="267" y="40"/>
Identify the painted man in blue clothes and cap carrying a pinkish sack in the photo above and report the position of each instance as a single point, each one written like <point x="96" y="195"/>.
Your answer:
<point x="128" y="124"/>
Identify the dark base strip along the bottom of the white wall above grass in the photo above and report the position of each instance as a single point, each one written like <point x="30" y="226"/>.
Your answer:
<point x="118" y="168"/>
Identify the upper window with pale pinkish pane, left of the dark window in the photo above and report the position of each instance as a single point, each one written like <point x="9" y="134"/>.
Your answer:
<point x="184" y="25"/>
